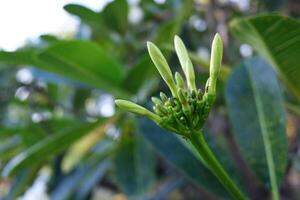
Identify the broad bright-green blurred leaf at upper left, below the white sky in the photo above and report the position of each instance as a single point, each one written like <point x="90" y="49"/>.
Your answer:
<point x="84" y="61"/>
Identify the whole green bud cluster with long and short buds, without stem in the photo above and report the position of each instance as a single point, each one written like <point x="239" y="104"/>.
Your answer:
<point x="188" y="108"/>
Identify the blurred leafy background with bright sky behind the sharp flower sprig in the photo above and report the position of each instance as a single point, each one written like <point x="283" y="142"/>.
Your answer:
<point x="63" y="62"/>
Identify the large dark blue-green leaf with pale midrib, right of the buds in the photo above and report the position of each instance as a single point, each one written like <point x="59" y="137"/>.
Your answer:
<point x="256" y="111"/>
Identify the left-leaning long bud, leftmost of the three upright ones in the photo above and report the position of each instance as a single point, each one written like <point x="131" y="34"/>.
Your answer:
<point x="162" y="66"/>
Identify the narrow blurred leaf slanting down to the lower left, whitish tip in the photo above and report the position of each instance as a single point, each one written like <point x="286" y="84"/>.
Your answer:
<point x="48" y="146"/>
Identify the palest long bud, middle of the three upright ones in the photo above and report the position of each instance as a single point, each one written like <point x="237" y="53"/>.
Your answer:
<point x="185" y="62"/>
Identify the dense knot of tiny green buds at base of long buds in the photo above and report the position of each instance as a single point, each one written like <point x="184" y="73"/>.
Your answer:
<point x="188" y="111"/>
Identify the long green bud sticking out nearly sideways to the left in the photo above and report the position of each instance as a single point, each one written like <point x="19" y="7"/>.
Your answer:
<point x="137" y="109"/>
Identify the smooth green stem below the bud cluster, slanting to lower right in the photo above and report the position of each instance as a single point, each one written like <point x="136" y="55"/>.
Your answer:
<point x="213" y="164"/>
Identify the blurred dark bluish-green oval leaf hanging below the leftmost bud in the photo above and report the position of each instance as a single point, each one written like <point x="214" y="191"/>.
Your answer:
<point x="134" y="165"/>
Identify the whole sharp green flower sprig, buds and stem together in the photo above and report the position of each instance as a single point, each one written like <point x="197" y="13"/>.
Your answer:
<point x="186" y="111"/>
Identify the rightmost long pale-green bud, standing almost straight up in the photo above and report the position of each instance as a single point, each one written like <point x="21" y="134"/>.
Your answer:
<point x="215" y="63"/>
